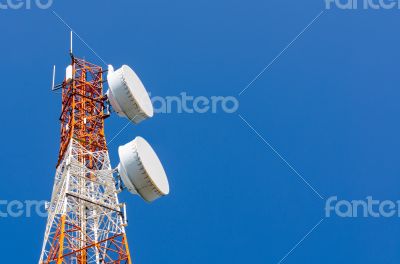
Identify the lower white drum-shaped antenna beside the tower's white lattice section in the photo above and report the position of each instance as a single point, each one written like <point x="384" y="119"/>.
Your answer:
<point x="141" y="171"/>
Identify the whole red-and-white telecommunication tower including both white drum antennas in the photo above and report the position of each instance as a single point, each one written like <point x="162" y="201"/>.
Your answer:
<point x="86" y="222"/>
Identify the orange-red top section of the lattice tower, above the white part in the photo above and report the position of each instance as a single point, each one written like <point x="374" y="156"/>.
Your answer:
<point x="83" y="107"/>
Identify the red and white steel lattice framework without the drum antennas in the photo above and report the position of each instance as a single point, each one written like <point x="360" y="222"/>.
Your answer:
<point x="85" y="221"/>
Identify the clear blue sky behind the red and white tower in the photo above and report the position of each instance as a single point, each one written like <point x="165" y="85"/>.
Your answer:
<point x="329" y="105"/>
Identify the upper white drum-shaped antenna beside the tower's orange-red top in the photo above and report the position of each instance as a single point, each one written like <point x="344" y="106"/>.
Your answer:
<point x="127" y="94"/>
